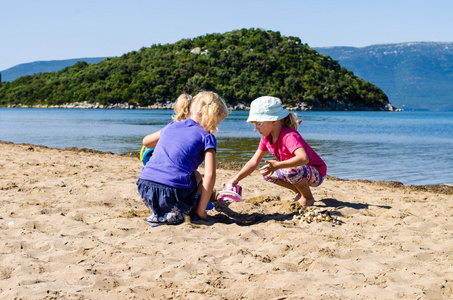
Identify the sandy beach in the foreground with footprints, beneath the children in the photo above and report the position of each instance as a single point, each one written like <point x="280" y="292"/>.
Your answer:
<point x="72" y="227"/>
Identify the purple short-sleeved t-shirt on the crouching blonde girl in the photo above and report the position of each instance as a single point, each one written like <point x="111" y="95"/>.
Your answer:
<point x="178" y="153"/>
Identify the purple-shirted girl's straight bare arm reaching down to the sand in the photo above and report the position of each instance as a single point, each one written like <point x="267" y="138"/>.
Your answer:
<point x="208" y="182"/>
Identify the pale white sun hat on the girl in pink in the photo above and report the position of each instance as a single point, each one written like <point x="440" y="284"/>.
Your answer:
<point x="266" y="108"/>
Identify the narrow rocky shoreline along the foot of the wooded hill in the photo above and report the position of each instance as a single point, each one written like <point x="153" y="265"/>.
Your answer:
<point x="341" y="106"/>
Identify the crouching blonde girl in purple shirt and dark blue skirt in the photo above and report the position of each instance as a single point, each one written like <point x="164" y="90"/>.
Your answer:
<point x="169" y="183"/>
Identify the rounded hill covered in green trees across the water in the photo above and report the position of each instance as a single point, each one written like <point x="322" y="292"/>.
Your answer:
<point x="240" y="65"/>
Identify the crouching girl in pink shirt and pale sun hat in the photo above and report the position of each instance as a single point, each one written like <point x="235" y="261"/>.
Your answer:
<point x="297" y="166"/>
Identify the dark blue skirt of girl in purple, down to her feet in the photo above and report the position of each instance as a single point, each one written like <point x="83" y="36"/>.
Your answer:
<point x="168" y="205"/>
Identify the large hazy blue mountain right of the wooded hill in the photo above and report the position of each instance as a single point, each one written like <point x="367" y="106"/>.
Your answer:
<point x="413" y="75"/>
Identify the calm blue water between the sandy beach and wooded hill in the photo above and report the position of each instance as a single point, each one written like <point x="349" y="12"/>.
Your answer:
<point x="414" y="148"/>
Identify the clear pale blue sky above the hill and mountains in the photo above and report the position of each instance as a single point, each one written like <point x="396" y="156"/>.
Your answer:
<point x="34" y="30"/>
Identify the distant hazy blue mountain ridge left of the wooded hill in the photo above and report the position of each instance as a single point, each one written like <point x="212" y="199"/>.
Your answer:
<point x="36" y="67"/>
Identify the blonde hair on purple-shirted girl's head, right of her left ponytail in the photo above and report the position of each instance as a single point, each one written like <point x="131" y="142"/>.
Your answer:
<point x="208" y="107"/>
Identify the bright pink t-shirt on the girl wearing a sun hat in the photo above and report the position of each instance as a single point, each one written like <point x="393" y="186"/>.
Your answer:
<point x="288" y="141"/>
